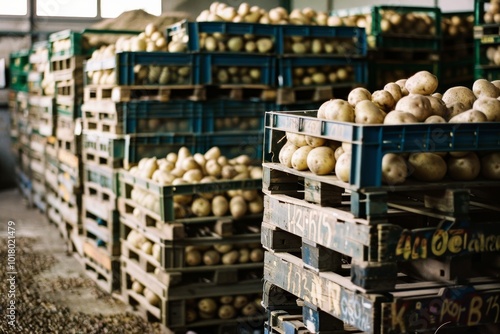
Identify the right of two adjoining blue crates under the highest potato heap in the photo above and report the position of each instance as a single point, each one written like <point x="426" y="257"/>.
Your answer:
<point x="347" y="42"/>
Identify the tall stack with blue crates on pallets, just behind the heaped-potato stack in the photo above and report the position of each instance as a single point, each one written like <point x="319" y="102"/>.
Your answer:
<point x="124" y="119"/>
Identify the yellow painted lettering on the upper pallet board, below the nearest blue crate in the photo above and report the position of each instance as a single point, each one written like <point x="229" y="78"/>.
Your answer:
<point x="429" y="243"/>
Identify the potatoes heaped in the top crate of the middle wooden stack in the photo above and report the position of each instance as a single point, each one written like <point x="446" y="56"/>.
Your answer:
<point x="185" y="168"/>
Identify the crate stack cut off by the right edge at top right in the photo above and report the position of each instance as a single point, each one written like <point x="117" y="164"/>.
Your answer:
<point x="487" y="40"/>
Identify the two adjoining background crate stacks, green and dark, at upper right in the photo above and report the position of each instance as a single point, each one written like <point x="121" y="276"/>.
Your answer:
<point x="404" y="40"/>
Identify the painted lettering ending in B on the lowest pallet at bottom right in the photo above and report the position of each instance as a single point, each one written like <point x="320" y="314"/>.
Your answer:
<point x="465" y="307"/>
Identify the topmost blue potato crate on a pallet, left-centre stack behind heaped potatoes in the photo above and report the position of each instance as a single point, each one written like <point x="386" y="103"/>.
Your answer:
<point x="186" y="68"/>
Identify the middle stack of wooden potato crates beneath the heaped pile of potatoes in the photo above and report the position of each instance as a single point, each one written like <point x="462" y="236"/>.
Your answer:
<point x="190" y="273"/>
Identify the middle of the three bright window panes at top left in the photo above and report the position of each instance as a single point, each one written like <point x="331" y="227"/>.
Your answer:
<point x="75" y="8"/>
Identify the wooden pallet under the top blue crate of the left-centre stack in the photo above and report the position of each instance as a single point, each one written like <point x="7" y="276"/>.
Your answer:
<point x="145" y="92"/>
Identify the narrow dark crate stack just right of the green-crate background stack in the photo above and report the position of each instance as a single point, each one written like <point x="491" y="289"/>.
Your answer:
<point x="457" y="50"/>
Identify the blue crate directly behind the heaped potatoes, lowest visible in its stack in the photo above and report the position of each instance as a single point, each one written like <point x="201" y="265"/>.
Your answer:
<point x="233" y="145"/>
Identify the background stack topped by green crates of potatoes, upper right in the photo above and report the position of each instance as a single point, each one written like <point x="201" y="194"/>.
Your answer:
<point x="402" y="40"/>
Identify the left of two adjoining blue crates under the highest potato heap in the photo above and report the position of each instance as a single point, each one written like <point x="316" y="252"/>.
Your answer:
<point x="191" y="34"/>
